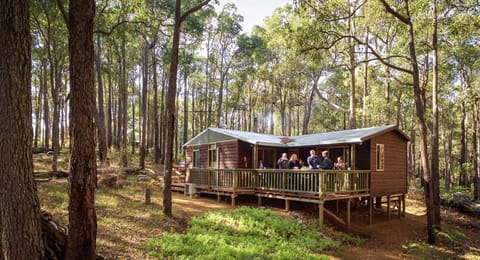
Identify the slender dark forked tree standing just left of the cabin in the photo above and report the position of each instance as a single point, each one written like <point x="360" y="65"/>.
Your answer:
<point x="170" y="102"/>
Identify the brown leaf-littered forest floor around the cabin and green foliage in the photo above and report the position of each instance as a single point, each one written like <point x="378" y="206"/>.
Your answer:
<point x="125" y="224"/>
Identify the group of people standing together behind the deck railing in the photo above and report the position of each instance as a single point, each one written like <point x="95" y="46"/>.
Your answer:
<point x="313" y="162"/>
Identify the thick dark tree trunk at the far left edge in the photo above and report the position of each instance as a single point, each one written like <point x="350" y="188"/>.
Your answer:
<point x="19" y="205"/>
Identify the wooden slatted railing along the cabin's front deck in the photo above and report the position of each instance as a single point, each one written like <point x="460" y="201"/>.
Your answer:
<point x="300" y="181"/>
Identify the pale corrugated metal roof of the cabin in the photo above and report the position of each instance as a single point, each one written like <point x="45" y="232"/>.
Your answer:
<point x="212" y="135"/>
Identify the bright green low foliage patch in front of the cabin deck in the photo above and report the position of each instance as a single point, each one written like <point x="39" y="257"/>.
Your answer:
<point x="244" y="233"/>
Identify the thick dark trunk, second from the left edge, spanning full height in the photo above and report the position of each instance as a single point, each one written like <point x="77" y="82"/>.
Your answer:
<point x="82" y="224"/>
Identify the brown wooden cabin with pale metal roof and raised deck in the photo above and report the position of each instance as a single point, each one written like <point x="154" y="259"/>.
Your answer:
<point x="225" y="162"/>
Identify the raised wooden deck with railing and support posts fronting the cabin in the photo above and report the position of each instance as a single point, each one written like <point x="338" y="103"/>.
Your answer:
<point x="313" y="186"/>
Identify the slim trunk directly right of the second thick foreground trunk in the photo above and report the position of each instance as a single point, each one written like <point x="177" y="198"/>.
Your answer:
<point x="100" y="115"/>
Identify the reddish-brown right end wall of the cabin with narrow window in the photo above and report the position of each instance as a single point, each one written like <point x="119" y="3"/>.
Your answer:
<point x="393" y="179"/>
